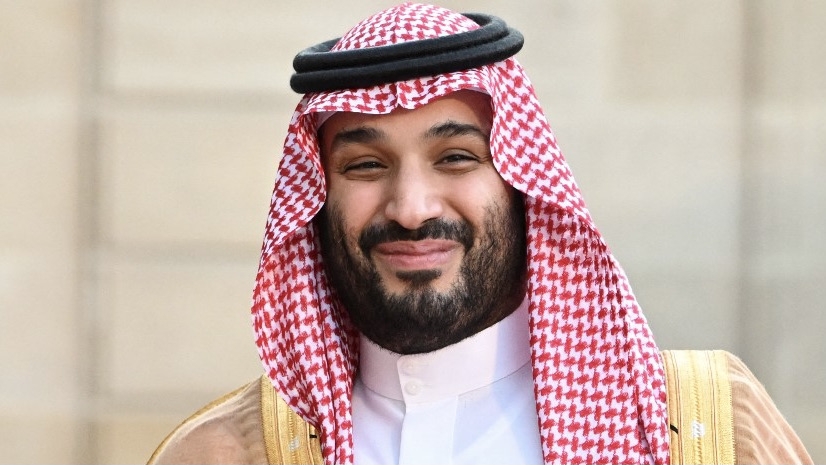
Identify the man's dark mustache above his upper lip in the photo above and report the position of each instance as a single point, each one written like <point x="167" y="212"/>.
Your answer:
<point x="459" y="231"/>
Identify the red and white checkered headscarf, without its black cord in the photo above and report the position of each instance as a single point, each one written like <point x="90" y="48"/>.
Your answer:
<point x="599" y="381"/>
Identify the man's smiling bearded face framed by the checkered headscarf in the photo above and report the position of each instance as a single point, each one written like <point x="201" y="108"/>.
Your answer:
<point x="422" y="240"/>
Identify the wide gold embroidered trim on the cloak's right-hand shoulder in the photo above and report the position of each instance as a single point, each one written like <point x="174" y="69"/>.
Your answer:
<point x="699" y="406"/>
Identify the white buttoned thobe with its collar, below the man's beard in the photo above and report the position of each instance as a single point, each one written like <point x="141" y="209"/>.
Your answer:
<point x="469" y="403"/>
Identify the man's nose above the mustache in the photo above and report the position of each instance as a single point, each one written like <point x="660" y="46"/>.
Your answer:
<point x="414" y="198"/>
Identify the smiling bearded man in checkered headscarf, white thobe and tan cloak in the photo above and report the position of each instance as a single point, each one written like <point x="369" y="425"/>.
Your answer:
<point x="432" y="288"/>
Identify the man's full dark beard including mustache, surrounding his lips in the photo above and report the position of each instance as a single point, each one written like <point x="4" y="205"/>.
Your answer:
<point x="489" y="286"/>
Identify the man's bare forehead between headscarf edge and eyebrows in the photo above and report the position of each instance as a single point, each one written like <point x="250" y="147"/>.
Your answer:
<point x="464" y="106"/>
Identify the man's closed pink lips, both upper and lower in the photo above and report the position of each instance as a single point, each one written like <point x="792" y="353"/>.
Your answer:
<point x="413" y="255"/>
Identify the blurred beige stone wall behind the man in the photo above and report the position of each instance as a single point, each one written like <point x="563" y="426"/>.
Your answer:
<point x="139" y="139"/>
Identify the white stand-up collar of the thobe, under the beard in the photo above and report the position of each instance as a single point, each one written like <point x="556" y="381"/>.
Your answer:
<point x="470" y="364"/>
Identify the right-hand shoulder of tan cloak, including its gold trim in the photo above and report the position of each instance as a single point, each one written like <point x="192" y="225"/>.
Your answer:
<point x="719" y="412"/>
